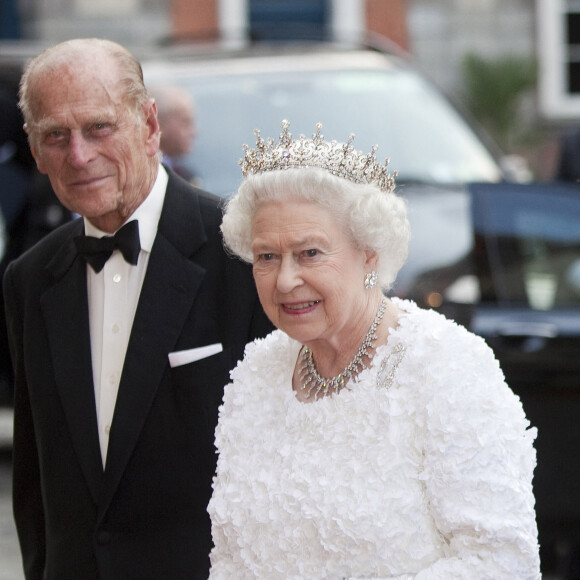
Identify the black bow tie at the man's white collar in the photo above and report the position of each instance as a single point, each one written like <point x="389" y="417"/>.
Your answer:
<point x="96" y="251"/>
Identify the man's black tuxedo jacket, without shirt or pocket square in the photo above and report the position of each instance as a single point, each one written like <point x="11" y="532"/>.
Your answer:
<point x="144" y="516"/>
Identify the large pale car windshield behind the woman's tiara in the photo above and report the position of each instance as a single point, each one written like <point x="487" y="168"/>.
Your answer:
<point x="425" y="138"/>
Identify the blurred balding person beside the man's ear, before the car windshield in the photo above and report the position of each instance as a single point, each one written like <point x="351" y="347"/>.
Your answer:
<point x="176" y="113"/>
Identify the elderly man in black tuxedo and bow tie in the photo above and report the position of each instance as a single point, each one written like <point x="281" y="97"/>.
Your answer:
<point x="121" y="346"/>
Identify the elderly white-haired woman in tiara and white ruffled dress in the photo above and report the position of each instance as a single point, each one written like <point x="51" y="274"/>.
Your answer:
<point x="365" y="438"/>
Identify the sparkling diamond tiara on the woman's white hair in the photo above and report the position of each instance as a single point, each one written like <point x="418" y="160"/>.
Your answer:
<point x="341" y="159"/>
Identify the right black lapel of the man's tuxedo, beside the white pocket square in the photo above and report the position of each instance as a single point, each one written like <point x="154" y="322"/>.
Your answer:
<point x="168" y="292"/>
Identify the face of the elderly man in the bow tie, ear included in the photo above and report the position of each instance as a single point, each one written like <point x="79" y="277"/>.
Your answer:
<point x="98" y="152"/>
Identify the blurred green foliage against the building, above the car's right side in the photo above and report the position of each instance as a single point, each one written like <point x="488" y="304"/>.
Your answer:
<point x="494" y="91"/>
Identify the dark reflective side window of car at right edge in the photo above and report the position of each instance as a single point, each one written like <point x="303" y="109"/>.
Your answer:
<point x="532" y="241"/>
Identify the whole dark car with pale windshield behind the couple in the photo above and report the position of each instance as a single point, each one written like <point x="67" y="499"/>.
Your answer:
<point x="501" y="258"/>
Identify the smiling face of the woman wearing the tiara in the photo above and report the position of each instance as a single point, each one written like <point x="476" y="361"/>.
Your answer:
<point x="309" y="277"/>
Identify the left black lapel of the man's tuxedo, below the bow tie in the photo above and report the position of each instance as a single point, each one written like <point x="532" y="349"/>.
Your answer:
<point x="65" y="309"/>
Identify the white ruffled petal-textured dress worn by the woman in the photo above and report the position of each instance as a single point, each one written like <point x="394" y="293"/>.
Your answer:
<point x="429" y="478"/>
